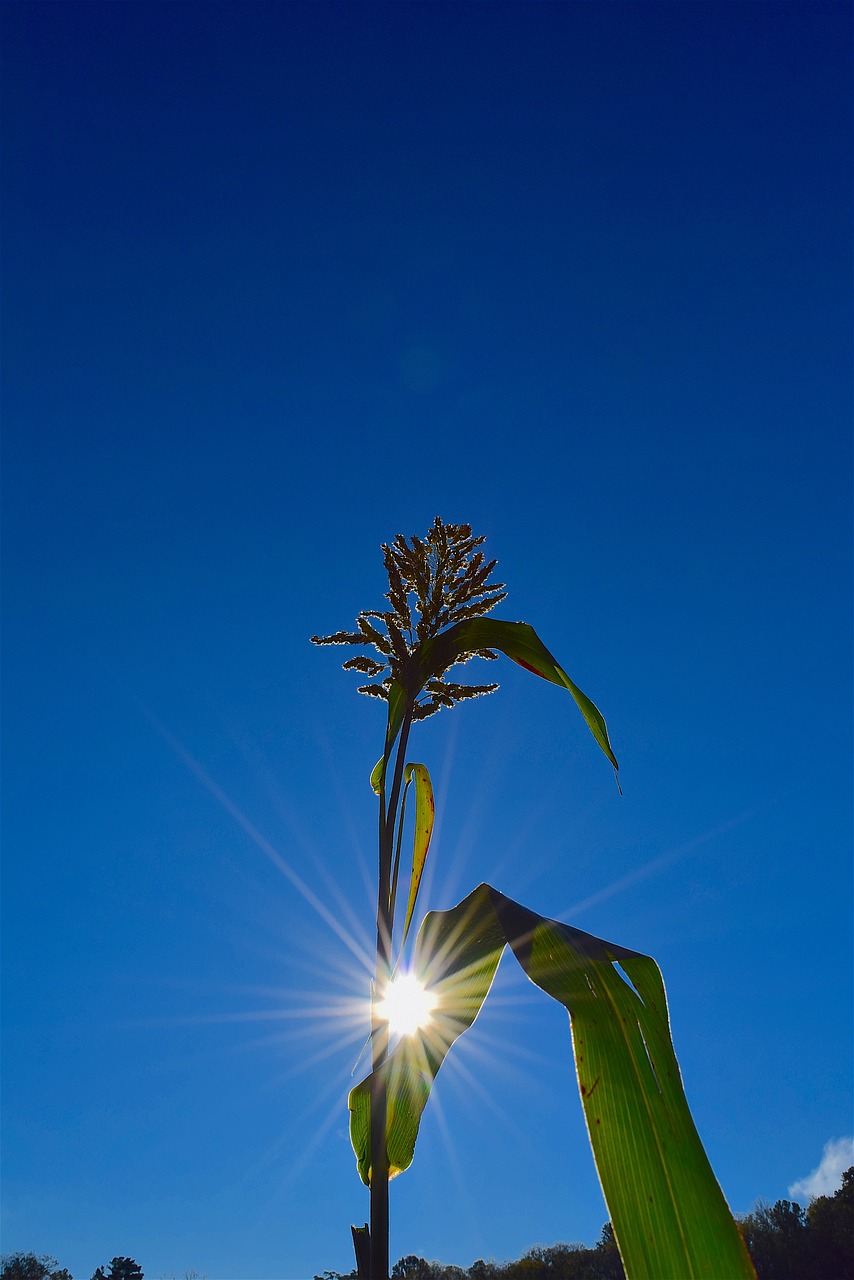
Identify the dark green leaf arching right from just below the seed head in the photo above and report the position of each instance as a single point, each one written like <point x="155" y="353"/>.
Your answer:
<point x="518" y="641"/>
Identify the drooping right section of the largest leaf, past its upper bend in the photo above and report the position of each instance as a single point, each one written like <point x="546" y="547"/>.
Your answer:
<point x="668" y="1209"/>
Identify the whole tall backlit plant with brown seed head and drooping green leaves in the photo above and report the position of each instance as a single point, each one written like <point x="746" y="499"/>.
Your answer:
<point x="669" y="1214"/>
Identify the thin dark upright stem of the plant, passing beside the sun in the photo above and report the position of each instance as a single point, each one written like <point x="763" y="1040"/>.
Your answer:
<point x="380" y="1026"/>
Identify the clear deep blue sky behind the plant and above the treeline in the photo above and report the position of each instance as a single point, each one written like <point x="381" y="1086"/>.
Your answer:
<point x="281" y="282"/>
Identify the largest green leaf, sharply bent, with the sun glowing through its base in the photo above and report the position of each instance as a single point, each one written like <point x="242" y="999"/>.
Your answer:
<point x="668" y="1210"/>
